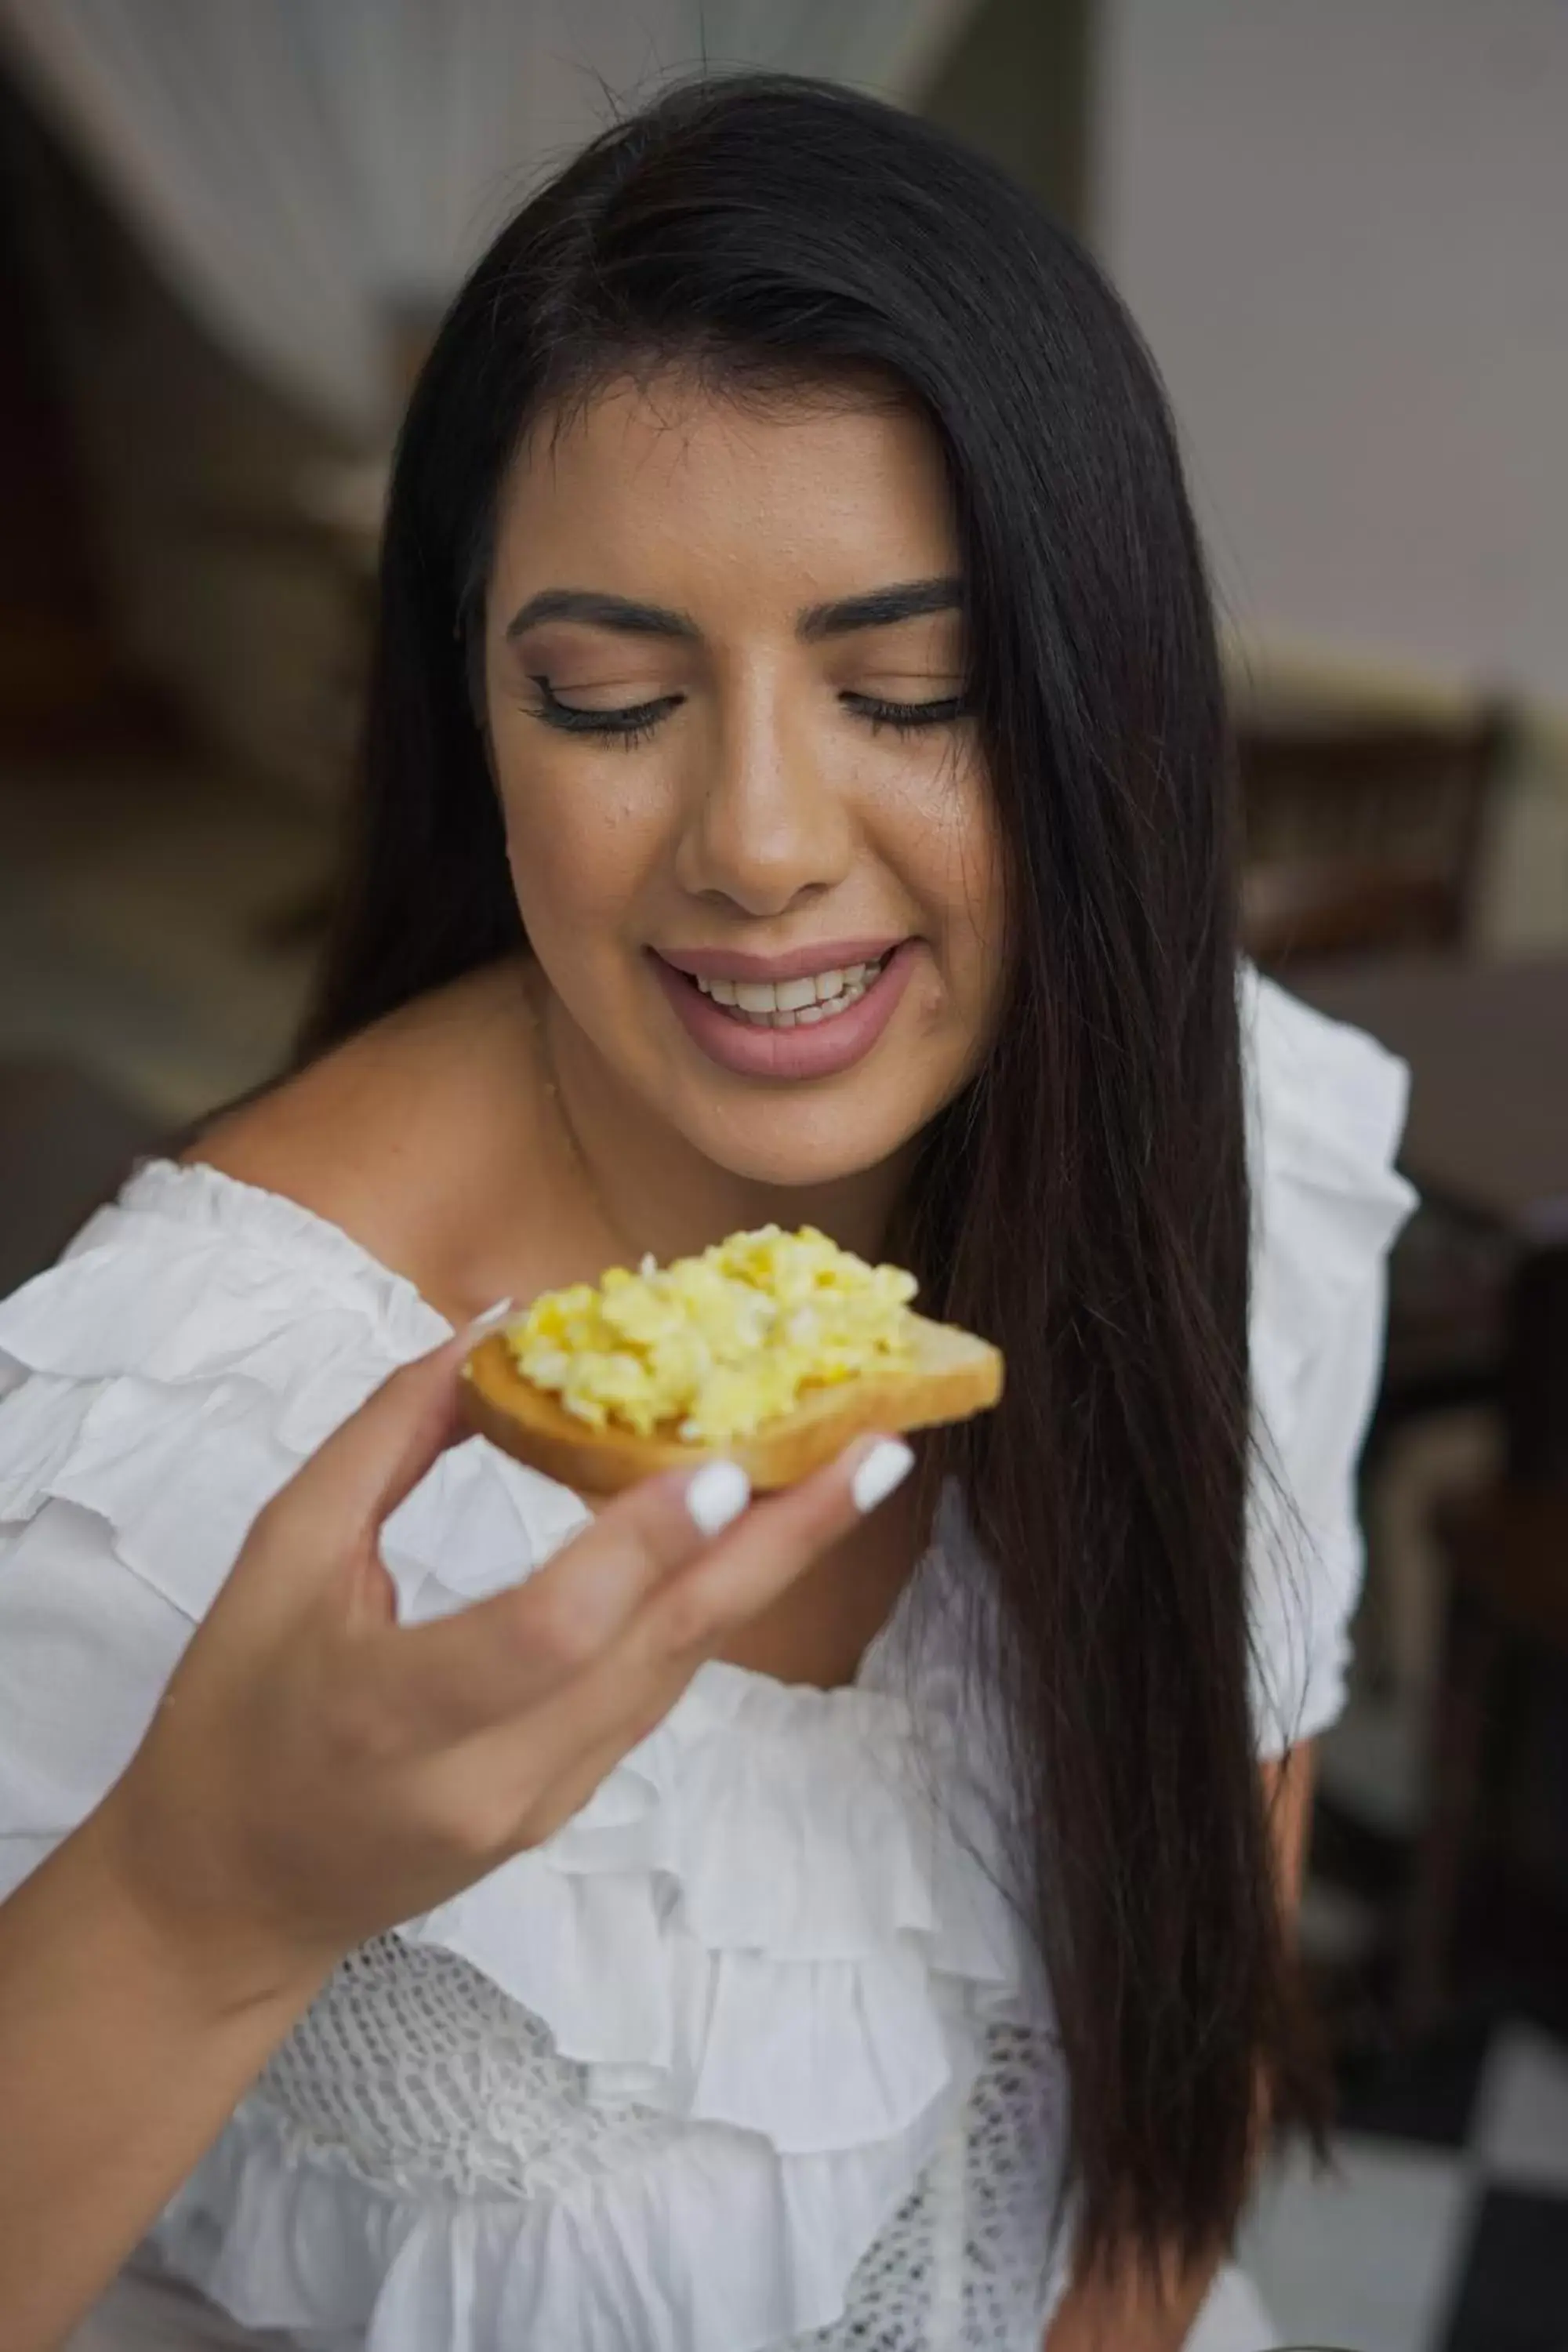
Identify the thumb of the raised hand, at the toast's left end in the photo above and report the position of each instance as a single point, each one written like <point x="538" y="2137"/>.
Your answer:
<point x="380" y="1455"/>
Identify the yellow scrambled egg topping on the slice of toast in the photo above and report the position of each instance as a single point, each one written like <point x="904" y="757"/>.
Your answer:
<point x="709" y="1349"/>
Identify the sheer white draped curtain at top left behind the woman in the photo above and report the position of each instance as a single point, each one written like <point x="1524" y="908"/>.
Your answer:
<point x="304" y="171"/>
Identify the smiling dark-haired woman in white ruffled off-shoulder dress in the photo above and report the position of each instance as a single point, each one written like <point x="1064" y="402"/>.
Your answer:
<point x="869" y="1927"/>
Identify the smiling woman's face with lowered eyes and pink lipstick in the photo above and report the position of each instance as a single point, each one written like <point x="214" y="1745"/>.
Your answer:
<point x="746" y="815"/>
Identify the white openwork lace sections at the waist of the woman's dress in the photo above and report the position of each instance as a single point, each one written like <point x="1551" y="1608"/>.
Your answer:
<point x="415" y="2076"/>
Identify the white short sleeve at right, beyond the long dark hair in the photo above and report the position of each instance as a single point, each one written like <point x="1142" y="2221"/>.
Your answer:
<point x="1327" y="1111"/>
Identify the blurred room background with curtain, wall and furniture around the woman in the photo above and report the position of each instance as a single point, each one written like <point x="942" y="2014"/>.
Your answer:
<point x="227" y="236"/>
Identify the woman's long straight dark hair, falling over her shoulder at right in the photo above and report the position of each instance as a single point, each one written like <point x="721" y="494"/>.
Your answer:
<point x="1085" y="1203"/>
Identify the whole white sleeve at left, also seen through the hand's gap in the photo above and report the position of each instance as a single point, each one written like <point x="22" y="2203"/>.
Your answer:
<point x="192" y="1349"/>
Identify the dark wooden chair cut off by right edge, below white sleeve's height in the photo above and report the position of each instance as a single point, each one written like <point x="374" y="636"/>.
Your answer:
<point x="1506" y="1553"/>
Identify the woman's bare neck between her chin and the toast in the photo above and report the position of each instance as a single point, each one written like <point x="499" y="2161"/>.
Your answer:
<point x="657" y="1194"/>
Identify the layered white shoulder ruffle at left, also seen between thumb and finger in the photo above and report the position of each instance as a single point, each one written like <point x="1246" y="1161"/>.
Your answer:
<point x="166" y="1379"/>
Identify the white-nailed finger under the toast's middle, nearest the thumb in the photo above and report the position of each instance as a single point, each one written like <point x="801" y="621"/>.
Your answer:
<point x="483" y="1664"/>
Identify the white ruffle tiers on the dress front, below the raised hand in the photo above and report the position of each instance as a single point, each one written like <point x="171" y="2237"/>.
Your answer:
<point x="718" y="1944"/>
